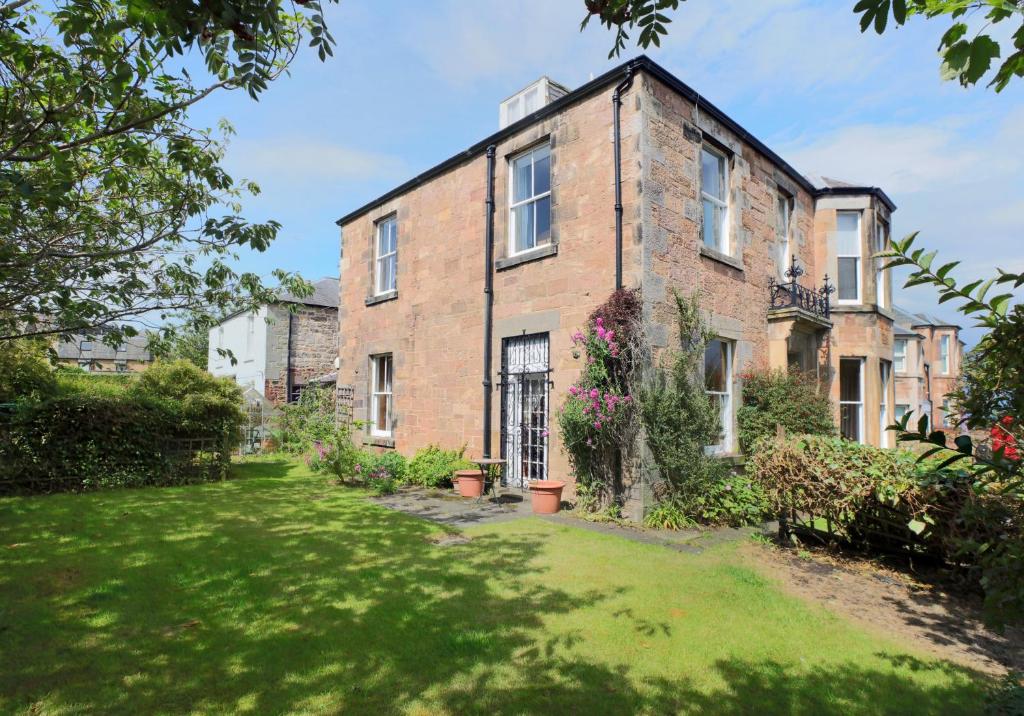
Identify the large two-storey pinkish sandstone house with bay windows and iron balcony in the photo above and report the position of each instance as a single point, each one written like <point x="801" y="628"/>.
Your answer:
<point x="462" y="288"/>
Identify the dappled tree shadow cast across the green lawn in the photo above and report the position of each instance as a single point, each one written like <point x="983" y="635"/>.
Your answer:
<point x="276" y="595"/>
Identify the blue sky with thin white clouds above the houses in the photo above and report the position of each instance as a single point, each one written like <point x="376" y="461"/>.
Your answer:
<point x="413" y="83"/>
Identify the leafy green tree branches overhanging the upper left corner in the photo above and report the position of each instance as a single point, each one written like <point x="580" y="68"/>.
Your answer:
<point x="112" y="205"/>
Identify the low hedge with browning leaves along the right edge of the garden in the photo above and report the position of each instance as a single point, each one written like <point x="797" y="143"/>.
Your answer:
<point x="891" y="501"/>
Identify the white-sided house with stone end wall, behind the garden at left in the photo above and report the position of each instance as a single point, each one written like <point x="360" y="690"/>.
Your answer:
<point x="282" y="348"/>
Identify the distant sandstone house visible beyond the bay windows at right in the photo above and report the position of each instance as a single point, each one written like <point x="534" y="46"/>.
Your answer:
<point x="927" y="355"/>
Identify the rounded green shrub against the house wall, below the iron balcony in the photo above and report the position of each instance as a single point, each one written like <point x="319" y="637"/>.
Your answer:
<point x="779" y="398"/>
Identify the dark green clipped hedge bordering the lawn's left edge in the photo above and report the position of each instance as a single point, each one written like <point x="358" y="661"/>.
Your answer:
<point x="120" y="434"/>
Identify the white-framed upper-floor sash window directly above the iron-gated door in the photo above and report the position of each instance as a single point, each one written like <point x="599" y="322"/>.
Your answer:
<point x="530" y="210"/>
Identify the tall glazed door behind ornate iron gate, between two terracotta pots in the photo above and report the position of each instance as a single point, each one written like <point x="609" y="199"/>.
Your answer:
<point x="525" y="409"/>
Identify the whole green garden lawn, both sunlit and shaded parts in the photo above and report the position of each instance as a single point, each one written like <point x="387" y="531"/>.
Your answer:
<point x="277" y="593"/>
